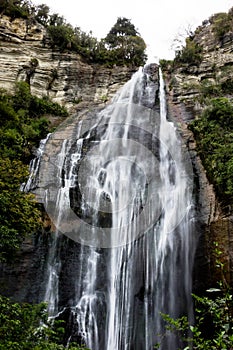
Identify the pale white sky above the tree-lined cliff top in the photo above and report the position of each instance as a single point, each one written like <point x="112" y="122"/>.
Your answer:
<point x="158" y="22"/>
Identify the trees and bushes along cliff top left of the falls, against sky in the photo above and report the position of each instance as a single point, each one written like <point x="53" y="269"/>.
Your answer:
<point x="122" y="46"/>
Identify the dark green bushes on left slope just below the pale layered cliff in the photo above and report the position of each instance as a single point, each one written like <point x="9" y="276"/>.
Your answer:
<point x="22" y="122"/>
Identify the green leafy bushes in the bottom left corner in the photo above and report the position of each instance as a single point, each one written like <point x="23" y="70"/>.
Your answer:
<point x="27" y="327"/>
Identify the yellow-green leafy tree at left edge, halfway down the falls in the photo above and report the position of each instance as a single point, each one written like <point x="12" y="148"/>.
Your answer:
<point x="19" y="215"/>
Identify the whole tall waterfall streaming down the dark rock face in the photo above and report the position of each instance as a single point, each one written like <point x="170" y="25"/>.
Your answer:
<point x="124" y="197"/>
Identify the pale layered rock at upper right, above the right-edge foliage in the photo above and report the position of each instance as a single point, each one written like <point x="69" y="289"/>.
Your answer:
<point x="216" y="66"/>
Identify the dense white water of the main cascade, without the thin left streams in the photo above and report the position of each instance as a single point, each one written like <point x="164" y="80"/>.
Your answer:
<point x="165" y="251"/>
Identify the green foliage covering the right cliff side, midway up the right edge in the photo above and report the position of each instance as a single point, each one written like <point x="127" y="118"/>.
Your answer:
<point x="214" y="134"/>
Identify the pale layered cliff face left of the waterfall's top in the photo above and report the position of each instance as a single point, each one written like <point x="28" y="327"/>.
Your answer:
<point x="64" y="77"/>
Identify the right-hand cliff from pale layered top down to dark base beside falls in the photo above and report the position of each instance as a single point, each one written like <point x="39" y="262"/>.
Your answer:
<point x="185" y="84"/>
